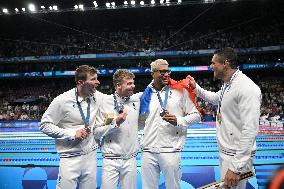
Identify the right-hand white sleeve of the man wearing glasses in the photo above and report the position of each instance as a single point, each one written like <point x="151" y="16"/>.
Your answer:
<point x="192" y="115"/>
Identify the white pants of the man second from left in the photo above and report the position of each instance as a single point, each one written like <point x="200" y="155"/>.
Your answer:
<point x="119" y="169"/>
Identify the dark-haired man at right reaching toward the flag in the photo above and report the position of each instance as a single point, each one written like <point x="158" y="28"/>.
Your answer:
<point x="237" y="119"/>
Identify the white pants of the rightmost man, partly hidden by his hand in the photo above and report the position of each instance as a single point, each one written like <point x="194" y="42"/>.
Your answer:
<point x="224" y="161"/>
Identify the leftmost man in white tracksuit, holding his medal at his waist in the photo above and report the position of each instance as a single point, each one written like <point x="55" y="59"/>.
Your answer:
<point x="68" y="119"/>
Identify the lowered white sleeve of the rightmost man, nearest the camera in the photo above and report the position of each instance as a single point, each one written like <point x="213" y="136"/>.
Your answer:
<point x="249" y="108"/>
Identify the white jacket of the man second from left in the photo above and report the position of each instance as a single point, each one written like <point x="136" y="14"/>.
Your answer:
<point x="123" y="141"/>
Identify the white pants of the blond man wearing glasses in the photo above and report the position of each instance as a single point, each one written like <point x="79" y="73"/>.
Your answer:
<point x="154" y="163"/>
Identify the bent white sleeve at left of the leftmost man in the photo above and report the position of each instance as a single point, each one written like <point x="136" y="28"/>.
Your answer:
<point x="50" y="119"/>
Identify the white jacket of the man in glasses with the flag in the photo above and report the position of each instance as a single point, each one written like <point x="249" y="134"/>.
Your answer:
<point x="161" y="136"/>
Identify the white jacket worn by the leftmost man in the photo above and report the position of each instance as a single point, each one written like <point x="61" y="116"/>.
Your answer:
<point x="62" y="119"/>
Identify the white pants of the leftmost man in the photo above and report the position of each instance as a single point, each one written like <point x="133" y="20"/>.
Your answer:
<point x="81" y="170"/>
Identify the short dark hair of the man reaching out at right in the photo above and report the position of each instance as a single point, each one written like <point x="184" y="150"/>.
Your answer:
<point x="228" y="54"/>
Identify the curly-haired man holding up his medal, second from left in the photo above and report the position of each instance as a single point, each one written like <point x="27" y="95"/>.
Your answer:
<point x="119" y="139"/>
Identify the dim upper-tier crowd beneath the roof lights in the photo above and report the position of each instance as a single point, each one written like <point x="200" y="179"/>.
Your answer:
<point x="144" y="39"/>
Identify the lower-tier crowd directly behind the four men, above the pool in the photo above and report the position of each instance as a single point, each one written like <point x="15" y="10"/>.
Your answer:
<point x="30" y="102"/>
